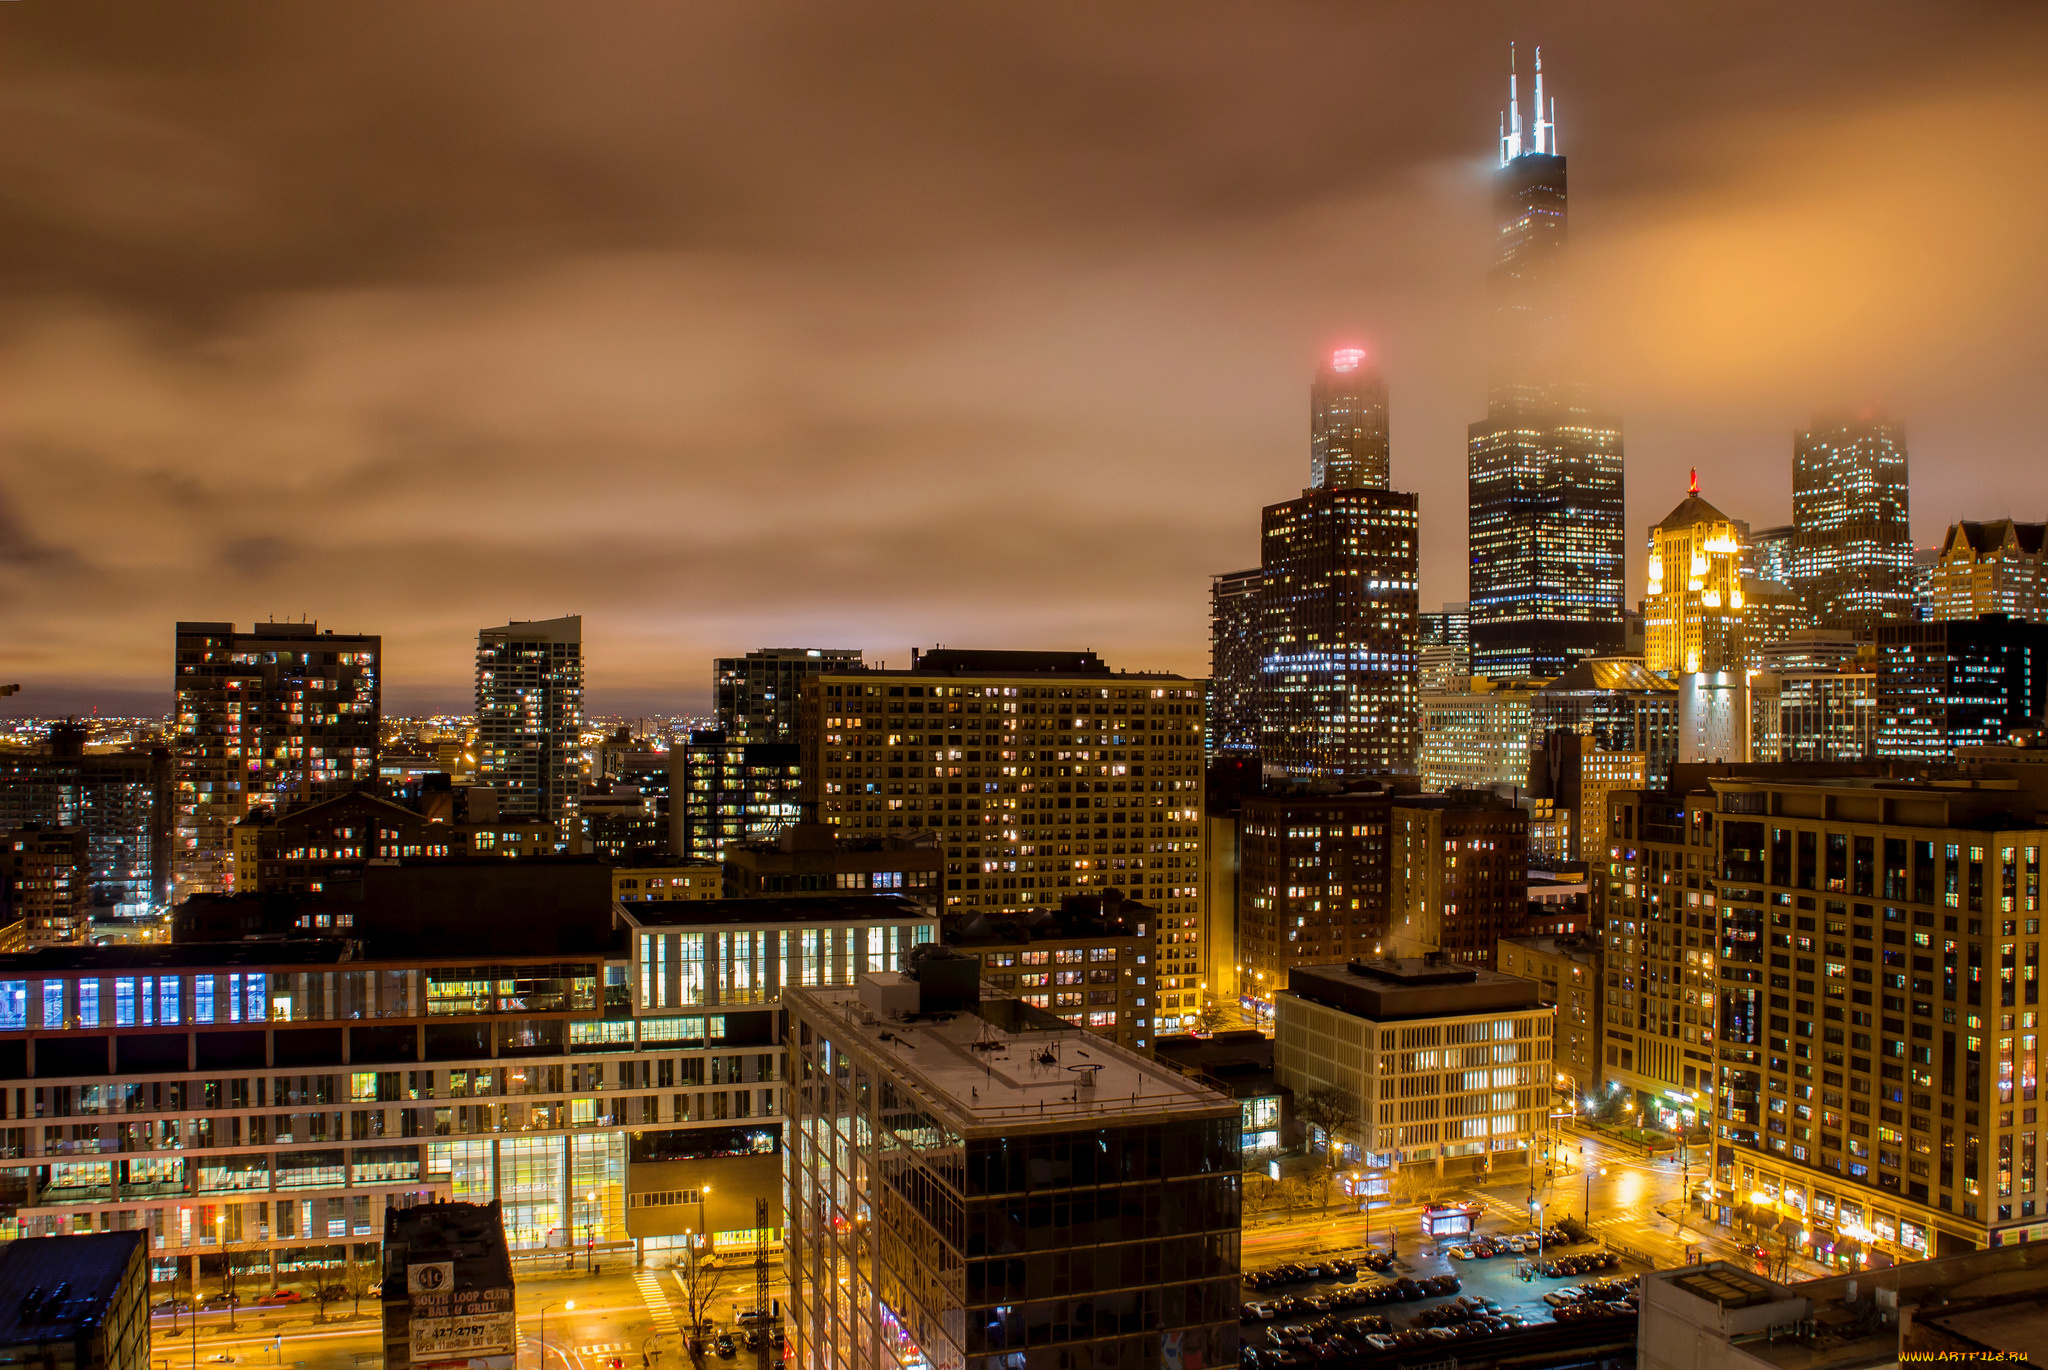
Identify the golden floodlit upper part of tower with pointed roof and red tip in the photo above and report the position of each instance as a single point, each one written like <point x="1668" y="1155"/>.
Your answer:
<point x="1695" y="605"/>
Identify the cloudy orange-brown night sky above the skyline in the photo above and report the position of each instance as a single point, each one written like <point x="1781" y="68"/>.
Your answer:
<point x="884" y="327"/>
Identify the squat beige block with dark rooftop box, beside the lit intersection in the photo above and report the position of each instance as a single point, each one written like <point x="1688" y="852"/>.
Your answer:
<point x="1441" y="1066"/>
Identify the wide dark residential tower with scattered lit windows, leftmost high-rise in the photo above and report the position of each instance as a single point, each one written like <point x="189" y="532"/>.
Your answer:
<point x="269" y="718"/>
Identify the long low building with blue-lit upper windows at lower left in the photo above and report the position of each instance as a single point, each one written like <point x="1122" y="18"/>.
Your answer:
<point x="265" y="1101"/>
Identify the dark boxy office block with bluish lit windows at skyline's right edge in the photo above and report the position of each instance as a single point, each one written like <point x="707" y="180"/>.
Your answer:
<point x="1959" y="685"/>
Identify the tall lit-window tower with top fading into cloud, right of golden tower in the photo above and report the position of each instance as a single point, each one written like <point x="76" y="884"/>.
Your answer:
<point x="1852" y="552"/>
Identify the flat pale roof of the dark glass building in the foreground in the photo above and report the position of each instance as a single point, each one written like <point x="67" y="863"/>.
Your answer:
<point x="1005" y="1066"/>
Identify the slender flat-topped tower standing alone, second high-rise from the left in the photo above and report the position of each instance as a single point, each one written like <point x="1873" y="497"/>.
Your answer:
<point x="531" y="720"/>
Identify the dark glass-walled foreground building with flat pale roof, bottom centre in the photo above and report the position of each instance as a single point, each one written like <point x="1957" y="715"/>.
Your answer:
<point x="959" y="1203"/>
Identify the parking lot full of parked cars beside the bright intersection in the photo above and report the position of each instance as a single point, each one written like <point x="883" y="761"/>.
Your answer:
<point x="1492" y="1295"/>
